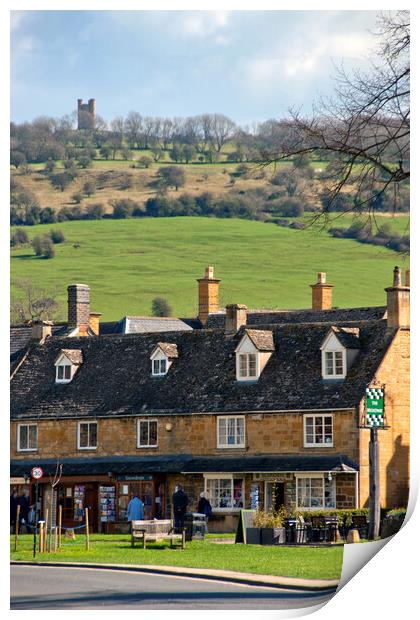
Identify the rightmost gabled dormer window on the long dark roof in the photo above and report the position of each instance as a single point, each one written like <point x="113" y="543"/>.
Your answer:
<point x="339" y="349"/>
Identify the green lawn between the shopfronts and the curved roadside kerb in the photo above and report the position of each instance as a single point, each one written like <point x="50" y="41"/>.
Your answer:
<point x="304" y="562"/>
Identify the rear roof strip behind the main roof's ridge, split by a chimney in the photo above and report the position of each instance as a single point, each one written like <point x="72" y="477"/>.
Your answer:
<point x="335" y="315"/>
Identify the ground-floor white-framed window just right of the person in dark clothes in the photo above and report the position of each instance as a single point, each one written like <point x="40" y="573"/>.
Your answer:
<point x="226" y="492"/>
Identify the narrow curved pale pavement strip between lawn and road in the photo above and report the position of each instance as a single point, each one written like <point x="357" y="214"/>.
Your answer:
<point x="269" y="581"/>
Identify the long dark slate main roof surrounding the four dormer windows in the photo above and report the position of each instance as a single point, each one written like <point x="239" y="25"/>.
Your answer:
<point x="115" y="378"/>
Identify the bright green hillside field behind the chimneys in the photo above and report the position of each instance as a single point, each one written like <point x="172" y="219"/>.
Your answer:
<point x="129" y="262"/>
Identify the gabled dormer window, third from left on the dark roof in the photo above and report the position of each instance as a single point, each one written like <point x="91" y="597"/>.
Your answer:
<point x="253" y="353"/>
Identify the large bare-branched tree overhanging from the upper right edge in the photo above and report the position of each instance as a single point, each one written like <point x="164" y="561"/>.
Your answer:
<point x="365" y="128"/>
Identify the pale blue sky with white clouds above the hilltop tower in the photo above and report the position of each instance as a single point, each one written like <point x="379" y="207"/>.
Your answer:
<point x="249" y="65"/>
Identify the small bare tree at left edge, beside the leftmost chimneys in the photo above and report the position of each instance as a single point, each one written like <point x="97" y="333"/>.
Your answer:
<point x="32" y="303"/>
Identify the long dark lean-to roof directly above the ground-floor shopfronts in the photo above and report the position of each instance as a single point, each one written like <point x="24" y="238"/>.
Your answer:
<point x="186" y="464"/>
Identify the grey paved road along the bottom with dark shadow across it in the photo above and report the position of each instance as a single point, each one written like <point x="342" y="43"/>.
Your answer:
<point x="38" y="587"/>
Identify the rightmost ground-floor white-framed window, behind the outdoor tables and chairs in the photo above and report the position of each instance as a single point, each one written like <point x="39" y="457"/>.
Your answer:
<point x="315" y="491"/>
